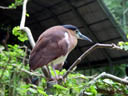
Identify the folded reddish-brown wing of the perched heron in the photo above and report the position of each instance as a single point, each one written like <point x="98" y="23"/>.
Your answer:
<point x="48" y="47"/>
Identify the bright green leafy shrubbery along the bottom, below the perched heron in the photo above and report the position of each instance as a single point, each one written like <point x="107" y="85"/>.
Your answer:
<point x="13" y="84"/>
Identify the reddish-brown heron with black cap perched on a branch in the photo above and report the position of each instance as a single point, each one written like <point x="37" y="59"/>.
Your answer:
<point x="54" y="45"/>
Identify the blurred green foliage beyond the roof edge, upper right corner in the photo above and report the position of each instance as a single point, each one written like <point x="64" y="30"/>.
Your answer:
<point x="119" y="10"/>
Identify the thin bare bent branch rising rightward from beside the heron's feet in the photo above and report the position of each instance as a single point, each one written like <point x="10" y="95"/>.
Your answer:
<point x="91" y="49"/>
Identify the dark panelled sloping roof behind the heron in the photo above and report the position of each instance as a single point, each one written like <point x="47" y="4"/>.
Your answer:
<point x="90" y="16"/>
